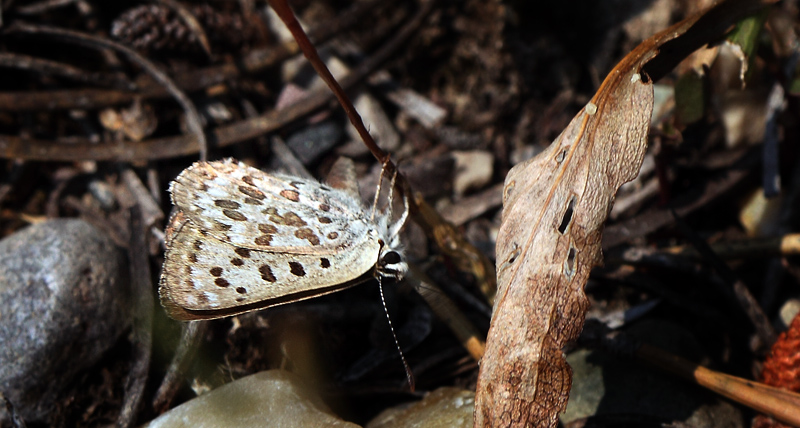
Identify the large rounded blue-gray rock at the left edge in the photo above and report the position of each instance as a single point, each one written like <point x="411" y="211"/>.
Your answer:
<point x="62" y="304"/>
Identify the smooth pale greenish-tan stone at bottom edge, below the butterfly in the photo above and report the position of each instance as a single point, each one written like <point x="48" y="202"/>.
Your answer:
<point x="273" y="398"/>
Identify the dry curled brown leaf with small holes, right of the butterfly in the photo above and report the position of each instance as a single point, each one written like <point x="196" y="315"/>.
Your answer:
<point x="555" y="206"/>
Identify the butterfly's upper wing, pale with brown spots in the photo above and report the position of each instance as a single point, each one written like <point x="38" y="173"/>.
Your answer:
<point x="249" y="208"/>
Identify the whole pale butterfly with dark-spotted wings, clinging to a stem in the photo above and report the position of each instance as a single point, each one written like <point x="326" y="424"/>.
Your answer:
<point x="241" y="239"/>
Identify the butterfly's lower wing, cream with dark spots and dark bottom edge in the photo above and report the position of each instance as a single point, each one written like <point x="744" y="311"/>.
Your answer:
<point x="204" y="277"/>
